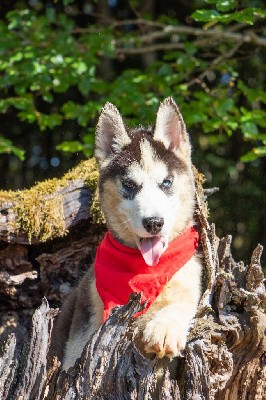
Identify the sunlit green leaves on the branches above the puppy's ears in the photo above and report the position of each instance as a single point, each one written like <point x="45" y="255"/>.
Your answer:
<point x="43" y="56"/>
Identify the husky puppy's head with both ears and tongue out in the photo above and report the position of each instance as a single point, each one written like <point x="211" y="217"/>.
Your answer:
<point x="146" y="182"/>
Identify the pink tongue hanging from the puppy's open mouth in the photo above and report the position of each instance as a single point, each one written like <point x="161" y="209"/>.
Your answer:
<point x="152" y="249"/>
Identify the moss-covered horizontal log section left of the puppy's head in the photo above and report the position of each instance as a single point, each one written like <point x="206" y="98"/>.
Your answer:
<point x="50" y="208"/>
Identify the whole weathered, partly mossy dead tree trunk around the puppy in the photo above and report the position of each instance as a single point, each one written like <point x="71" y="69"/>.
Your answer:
<point x="225" y="356"/>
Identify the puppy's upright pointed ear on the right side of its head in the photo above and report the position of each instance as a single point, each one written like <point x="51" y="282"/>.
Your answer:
<point x="170" y="128"/>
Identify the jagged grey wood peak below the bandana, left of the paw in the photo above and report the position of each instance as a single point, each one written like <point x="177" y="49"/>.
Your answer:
<point x="112" y="358"/>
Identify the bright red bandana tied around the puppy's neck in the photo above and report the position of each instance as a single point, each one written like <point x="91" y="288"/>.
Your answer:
<point x="121" y="270"/>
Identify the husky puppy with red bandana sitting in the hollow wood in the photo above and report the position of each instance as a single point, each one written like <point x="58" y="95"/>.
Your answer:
<point x="147" y="195"/>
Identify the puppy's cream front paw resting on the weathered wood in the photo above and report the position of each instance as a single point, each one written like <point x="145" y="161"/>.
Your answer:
<point x="164" y="337"/>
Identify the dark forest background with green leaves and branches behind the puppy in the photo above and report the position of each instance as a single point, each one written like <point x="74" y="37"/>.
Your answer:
<point x="60" y="61"/>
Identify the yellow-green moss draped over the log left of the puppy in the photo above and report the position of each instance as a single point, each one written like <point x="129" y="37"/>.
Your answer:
<point x="39" y="210"/>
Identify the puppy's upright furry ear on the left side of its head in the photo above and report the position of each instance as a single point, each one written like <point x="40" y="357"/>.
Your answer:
<point x="111" y="134"/>
